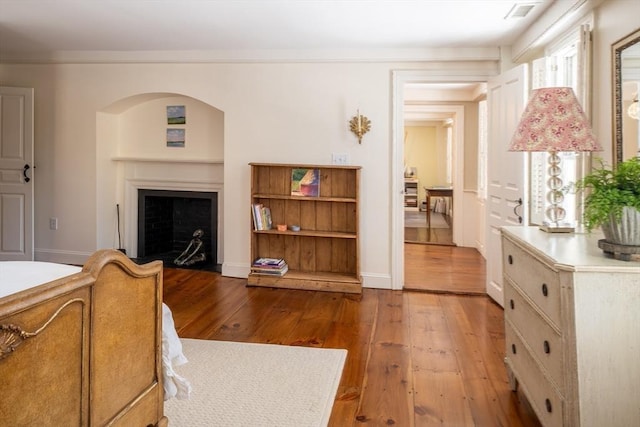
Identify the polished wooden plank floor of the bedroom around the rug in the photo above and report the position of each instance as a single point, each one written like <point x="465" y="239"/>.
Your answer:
<point x="414" y="358"/>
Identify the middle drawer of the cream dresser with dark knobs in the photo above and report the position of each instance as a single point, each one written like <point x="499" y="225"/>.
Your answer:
<point x="543" y="341"/>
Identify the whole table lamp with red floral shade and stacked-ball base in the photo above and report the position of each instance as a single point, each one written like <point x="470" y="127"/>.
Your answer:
<point x="554" y="121"/>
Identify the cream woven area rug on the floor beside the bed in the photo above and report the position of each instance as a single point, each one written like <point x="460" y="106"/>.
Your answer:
<point x="244" y="384"/>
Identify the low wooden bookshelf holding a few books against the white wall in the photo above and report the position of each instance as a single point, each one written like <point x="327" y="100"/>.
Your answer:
<point x="325" y="254"/>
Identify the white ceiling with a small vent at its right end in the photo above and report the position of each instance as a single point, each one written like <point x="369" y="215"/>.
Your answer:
<point x="42" y="28"/>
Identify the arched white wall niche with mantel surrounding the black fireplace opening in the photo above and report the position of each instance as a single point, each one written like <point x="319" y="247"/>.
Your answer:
<point x="132" y="154"/>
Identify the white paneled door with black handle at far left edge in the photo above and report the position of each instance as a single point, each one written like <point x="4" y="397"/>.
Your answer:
<point x="16" y="174"/>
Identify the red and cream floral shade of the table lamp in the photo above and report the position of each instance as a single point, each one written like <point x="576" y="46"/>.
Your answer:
<point x="554" y="121"/>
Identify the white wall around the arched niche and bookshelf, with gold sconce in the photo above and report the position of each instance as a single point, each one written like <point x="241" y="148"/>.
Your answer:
<point x="294" y="113"/>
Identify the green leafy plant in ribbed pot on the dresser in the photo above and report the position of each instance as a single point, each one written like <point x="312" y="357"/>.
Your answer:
<point x="613" y="201"/>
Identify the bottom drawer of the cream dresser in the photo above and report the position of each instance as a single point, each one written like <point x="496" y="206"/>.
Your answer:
<point x="543" y="397"/>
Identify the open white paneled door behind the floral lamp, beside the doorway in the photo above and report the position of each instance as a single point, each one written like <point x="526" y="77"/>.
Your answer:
<point x="506" y="171"/>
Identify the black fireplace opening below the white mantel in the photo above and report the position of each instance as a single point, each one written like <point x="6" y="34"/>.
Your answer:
<point x="167" y="221"/>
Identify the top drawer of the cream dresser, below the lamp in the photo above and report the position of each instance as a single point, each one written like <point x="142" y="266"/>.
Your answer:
<point x="535" y="279"/>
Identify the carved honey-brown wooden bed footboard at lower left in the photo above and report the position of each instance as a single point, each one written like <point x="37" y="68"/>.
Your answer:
<point x="86" y="349"/>
